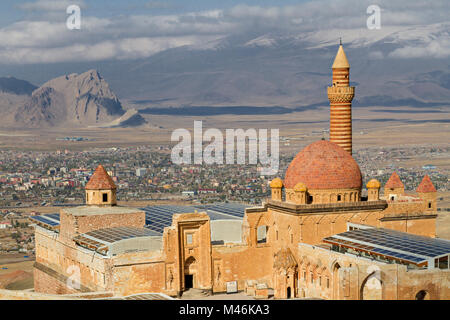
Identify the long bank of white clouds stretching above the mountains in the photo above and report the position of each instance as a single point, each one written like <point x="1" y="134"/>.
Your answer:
<point x="45" y="40"/>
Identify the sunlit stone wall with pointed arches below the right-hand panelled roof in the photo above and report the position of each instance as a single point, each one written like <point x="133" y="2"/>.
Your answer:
<point x="347" y="277"/>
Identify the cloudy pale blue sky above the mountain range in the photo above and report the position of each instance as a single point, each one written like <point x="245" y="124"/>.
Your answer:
<point x="34" y="31"/>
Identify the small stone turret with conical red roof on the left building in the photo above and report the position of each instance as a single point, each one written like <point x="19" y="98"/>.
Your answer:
<point x="101" y="190"/>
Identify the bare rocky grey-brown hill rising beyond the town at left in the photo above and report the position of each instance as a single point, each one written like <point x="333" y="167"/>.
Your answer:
<point x="72" y="100"/>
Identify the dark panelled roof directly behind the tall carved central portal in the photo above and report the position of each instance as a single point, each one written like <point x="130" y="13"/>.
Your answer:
<point x="158" y="217"/>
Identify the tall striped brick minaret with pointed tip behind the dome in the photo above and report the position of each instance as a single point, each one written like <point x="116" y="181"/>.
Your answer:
<point x="341" y="95"/>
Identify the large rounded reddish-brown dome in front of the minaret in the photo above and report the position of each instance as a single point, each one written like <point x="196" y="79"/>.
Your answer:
<point x="324" y="165"/>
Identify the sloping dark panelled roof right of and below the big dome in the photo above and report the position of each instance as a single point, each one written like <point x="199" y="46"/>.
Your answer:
<point x="393" y="244"/>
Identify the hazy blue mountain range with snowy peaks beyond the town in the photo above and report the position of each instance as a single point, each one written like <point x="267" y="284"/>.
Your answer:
<point x="401" y="66"/>
